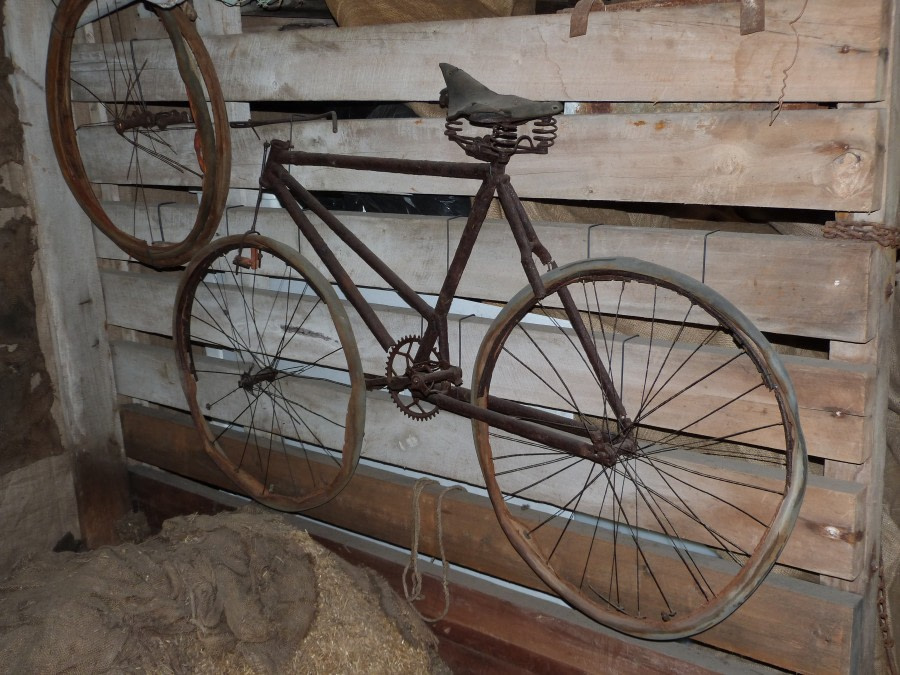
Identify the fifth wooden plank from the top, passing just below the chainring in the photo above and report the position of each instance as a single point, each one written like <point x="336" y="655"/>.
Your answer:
<point x="826" y="539"/>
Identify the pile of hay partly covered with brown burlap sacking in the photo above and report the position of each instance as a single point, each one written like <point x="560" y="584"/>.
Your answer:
<point x="236" y="593"/>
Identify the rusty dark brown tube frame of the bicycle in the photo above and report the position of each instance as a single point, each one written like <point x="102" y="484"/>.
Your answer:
<point x="494" y="181"/>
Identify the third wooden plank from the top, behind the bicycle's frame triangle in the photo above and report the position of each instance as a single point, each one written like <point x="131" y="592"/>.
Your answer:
<point x="791" y="285"/>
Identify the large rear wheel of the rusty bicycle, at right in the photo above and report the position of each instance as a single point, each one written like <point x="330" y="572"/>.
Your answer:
<point x="694" y="462"/>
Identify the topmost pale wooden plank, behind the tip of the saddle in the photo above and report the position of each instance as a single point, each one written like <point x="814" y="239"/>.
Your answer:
<point x="681" y="54"/>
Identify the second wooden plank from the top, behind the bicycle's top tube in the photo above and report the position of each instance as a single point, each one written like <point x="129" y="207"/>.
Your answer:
<point x="810" y="159"/>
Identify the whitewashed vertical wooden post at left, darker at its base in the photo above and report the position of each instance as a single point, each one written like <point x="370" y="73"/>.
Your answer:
<point x="71" y="314"/>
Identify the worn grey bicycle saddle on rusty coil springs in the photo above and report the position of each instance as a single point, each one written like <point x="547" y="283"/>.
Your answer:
<point x="467" y="98"/>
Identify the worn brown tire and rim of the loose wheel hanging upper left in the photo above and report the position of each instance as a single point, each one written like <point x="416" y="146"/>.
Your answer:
<point x="141" y="233"/>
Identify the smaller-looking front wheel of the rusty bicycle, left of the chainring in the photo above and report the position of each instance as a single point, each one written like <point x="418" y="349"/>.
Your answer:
<point x="271" y="371"/>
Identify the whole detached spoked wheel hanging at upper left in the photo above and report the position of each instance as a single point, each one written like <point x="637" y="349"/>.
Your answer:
<point x="121" y="137"/>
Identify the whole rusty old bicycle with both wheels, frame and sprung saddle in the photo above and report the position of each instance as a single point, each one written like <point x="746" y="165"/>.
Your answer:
<point x="637" y="435"/>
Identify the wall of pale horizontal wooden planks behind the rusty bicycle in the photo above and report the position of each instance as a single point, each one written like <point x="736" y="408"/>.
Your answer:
<point x="689" y="122"/>
